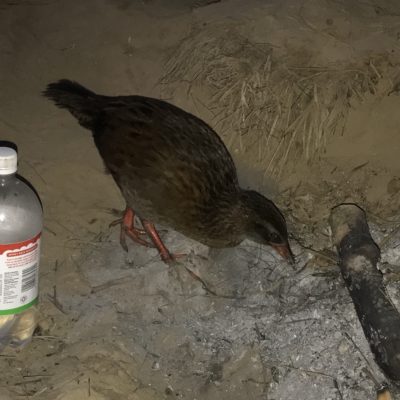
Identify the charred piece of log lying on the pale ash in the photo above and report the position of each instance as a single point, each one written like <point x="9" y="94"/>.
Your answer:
<point x="358" y="258"/>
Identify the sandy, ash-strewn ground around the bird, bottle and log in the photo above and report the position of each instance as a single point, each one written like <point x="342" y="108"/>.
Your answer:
<point x="128" y="327"/>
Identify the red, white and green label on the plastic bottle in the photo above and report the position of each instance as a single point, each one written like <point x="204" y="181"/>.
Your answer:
<point x="19" y="275"/>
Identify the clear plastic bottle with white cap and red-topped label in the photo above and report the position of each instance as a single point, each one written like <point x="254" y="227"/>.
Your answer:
<point x="20" y="232"/>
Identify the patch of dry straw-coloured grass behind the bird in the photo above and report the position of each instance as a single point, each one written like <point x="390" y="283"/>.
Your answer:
<point x="264" y="105"/>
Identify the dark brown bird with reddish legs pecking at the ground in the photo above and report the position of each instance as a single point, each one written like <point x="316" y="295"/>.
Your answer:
<point x="172" y="169"/>
